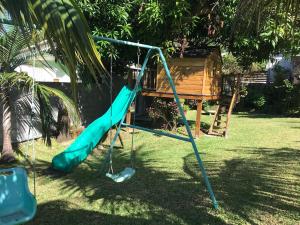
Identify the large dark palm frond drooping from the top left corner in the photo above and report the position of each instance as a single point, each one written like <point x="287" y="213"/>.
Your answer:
<point x="65" y="29"/>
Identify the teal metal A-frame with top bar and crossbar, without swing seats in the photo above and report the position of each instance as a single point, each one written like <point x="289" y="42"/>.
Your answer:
<point x="151" y="50"/>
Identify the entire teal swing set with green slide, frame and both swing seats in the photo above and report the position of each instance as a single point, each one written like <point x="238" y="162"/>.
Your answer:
<point x="14" y="191"/>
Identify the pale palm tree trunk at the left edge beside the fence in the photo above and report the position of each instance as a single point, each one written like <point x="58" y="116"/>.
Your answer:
<point x="7" y="150"/>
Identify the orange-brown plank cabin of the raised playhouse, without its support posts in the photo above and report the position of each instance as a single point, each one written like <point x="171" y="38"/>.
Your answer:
<point x="191" y="75"/>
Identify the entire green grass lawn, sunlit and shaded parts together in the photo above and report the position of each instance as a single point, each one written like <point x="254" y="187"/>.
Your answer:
<point x="255" y="174"/>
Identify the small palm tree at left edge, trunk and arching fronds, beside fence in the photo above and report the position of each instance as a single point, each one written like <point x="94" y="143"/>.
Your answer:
<point x="12" y="54"/>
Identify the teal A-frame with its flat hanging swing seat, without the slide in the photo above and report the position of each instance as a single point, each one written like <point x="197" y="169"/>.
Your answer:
<point x="128" y="172"/>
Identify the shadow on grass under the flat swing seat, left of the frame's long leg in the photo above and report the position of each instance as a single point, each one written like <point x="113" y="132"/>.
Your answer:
<point x="160" y="196"/>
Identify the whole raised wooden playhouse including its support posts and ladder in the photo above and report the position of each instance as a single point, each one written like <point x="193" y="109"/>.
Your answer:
<point x="197" y="76"/>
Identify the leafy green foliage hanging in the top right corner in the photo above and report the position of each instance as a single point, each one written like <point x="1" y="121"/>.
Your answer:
<point x="261" y="28"/>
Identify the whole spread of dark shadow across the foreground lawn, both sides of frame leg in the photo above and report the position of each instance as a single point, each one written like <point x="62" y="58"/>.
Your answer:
<point x="265" y="183"/>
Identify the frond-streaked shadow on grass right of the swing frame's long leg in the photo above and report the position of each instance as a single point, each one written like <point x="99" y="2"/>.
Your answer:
<point x="266" y="182"/>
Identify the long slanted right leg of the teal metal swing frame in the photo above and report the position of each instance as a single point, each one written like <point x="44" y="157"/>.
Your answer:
<point x="200" y="163"/>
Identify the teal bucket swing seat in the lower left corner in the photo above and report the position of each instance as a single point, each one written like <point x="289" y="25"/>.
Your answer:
<point x="17" y="204"/>
